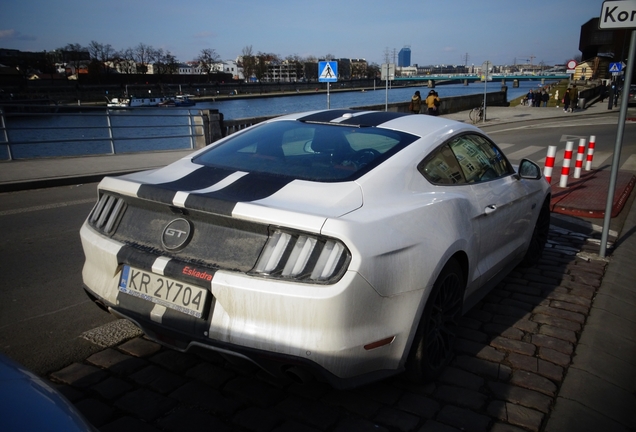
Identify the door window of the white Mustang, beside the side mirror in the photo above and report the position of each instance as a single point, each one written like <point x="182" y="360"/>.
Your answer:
<point x="479" y="159"/>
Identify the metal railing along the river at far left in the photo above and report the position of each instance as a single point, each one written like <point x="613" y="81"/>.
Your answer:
<point x="99" y="131"/>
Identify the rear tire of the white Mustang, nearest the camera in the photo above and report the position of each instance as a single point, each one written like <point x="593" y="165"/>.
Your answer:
<point x="434" y="340"/>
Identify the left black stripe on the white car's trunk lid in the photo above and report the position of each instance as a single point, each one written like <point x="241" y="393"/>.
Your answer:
<point x="201" y="178"/>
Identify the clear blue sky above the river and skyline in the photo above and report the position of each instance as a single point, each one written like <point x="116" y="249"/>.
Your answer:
<point x="449" y="32"/>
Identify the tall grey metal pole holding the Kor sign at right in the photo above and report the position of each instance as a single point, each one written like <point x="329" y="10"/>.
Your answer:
<point x="619" y="143"/>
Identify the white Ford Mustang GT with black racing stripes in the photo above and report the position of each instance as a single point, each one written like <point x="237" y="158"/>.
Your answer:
<point x="338" y="244"/>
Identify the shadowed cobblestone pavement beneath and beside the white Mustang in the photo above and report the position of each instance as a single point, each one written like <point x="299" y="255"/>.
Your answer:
<point x="513" y="351"/>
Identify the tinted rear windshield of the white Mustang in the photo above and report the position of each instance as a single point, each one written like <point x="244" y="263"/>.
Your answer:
<point x="307" y="151"/>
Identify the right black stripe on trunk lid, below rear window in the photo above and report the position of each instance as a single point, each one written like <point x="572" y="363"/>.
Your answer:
<point x="251" y="187"/>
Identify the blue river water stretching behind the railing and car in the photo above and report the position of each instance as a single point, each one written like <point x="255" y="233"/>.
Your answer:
<point x="152" y="129"/>
